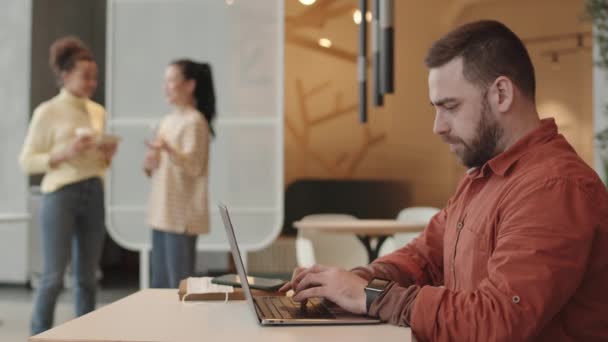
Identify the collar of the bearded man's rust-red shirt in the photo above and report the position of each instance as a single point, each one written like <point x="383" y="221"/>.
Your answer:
<point x="502" y="163"/>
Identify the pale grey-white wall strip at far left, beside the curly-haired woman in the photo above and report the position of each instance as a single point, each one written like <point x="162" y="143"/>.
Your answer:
<point x="15" y="23"/>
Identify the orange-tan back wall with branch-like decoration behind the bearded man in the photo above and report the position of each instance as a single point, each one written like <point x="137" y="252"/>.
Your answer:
<point x="409" y="151"/>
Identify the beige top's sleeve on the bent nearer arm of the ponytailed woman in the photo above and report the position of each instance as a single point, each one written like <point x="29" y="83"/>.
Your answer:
<point x="194" y="152"/>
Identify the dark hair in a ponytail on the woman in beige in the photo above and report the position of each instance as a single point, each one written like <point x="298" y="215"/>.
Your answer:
<point x="203" y="92"/>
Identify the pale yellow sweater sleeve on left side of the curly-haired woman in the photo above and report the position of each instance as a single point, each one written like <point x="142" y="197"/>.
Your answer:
<point x="35" y="153"/>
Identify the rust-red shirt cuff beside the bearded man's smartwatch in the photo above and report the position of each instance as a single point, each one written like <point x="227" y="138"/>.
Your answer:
<point x="395" y="304"/>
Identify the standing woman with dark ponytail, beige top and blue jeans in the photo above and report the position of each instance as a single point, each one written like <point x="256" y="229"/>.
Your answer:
<point x="177" y="164"/>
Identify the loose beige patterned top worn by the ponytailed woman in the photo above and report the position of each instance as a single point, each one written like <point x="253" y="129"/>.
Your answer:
<point x="178" y="196"/>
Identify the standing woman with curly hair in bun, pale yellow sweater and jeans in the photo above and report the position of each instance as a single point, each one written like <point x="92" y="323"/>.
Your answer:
<point x="63" y="142"/>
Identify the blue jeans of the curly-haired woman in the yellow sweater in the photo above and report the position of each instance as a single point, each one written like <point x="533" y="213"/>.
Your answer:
<point x="72" y="217"/>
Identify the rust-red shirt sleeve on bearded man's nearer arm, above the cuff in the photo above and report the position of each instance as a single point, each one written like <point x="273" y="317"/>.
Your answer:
<point x="543" y="244"/>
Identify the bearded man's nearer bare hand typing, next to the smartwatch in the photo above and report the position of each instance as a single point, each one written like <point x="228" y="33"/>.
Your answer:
<point x="335" y="284"/>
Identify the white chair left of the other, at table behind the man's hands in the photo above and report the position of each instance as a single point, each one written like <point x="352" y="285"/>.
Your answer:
<point x="334" y="249"/>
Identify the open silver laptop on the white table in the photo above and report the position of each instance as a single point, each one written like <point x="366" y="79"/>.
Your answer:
<point x="281" y="310"/>
